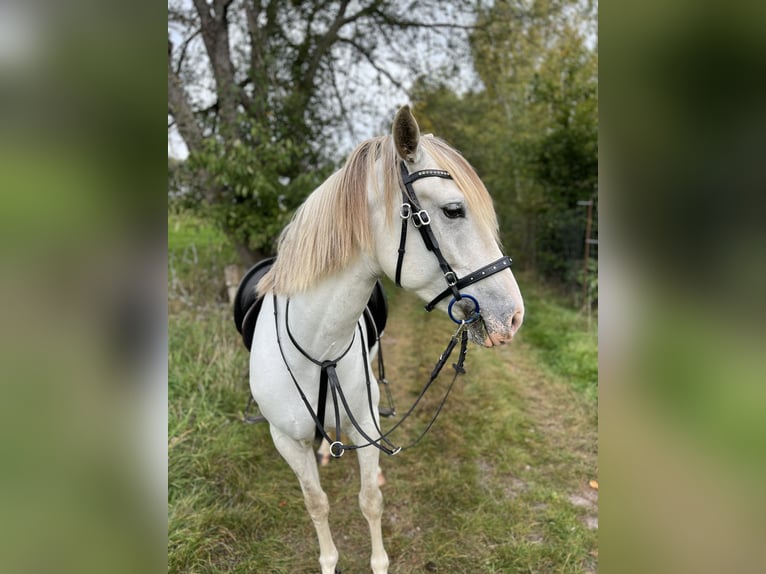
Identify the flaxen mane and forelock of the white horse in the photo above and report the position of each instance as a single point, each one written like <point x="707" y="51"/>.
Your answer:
<point x="333" y="224"/>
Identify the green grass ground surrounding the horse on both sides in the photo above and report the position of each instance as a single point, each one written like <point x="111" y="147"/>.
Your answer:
<point x="500" y="484"/>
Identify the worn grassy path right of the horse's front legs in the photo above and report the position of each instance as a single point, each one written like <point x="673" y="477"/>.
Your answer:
<point x="512" y="457"/>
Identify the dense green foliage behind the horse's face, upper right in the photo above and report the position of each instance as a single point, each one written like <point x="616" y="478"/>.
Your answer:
<point x="532" y="131"/>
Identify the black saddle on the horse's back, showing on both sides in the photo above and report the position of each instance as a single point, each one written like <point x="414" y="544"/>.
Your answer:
<point x="247" y="306"/>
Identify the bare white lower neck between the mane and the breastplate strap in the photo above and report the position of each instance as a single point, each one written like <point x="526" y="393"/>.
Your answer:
<point x="323" y="319"/>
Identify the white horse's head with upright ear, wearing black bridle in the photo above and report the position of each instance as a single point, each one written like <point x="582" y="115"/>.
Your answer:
<point x="442" y="192"/>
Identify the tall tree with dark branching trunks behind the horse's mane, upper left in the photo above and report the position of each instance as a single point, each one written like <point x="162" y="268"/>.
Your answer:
<point x="258" y="89"/>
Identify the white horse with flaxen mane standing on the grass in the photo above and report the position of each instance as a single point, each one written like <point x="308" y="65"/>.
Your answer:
<point x="350" y="231"/>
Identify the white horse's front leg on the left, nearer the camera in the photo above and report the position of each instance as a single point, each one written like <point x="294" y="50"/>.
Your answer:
<point x="300" y="456"/>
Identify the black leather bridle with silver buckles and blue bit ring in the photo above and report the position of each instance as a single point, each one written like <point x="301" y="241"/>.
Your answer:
<point x="411" y="210"/>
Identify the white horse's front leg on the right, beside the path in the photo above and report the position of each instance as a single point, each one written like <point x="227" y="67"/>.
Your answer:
<point x="371" y="498"/>
